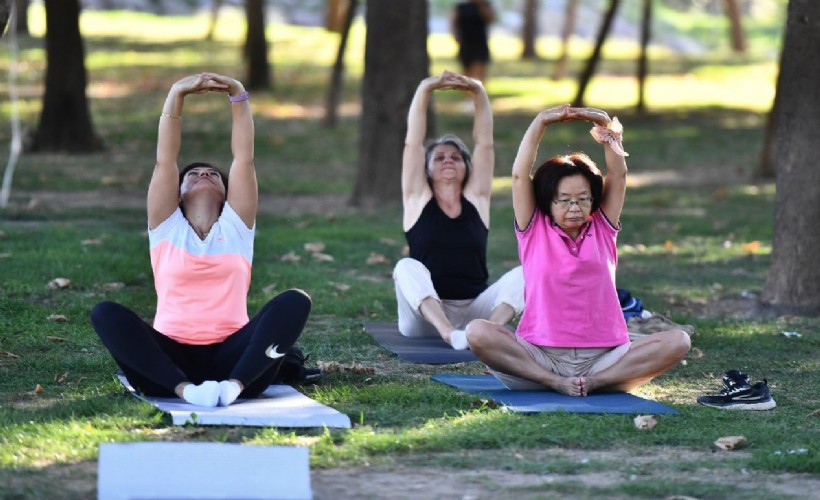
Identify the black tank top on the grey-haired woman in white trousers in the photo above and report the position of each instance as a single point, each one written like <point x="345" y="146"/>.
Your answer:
<point x="454" y="250"/>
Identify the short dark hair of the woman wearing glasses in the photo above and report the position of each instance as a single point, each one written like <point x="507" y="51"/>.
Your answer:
<point x="549" y="174"/>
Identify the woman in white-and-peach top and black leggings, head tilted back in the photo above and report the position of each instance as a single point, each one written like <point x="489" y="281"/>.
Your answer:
<point x="202" y="346"/>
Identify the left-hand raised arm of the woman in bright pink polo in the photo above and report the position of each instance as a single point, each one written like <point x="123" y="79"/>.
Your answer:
<point x="522" y="187"/>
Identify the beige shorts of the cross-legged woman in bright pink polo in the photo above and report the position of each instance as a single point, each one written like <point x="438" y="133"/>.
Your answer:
<point x="564" y="361"/>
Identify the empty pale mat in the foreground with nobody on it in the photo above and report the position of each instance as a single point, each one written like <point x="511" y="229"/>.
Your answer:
<point x="203" y="471"/>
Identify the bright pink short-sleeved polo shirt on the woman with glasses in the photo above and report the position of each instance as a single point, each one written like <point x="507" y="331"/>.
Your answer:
<point x="569" y="295"/>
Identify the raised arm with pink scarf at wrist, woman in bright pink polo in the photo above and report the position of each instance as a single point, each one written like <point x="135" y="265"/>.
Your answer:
<point x="610" y="135"/>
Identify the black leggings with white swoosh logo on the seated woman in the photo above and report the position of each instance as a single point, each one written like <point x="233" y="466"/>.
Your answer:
<point x="155" y="364"/>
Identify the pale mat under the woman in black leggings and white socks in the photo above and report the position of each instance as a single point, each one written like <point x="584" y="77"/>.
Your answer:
<point x="278" y="406"/>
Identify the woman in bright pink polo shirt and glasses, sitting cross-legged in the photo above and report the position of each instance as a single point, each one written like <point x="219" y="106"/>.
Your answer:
<point x="572" y="336"/>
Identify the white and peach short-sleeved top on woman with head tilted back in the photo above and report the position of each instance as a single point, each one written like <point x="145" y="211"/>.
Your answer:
<point x="202" y="285"/>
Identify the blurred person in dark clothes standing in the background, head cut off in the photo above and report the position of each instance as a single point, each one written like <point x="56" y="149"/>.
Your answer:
<point x="470" y="26"/>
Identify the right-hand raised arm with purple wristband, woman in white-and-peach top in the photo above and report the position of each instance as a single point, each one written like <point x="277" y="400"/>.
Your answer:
<point x="243" y="192"/>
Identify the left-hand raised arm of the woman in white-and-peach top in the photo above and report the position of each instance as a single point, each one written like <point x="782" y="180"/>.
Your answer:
<point x="163" y="190"/>
